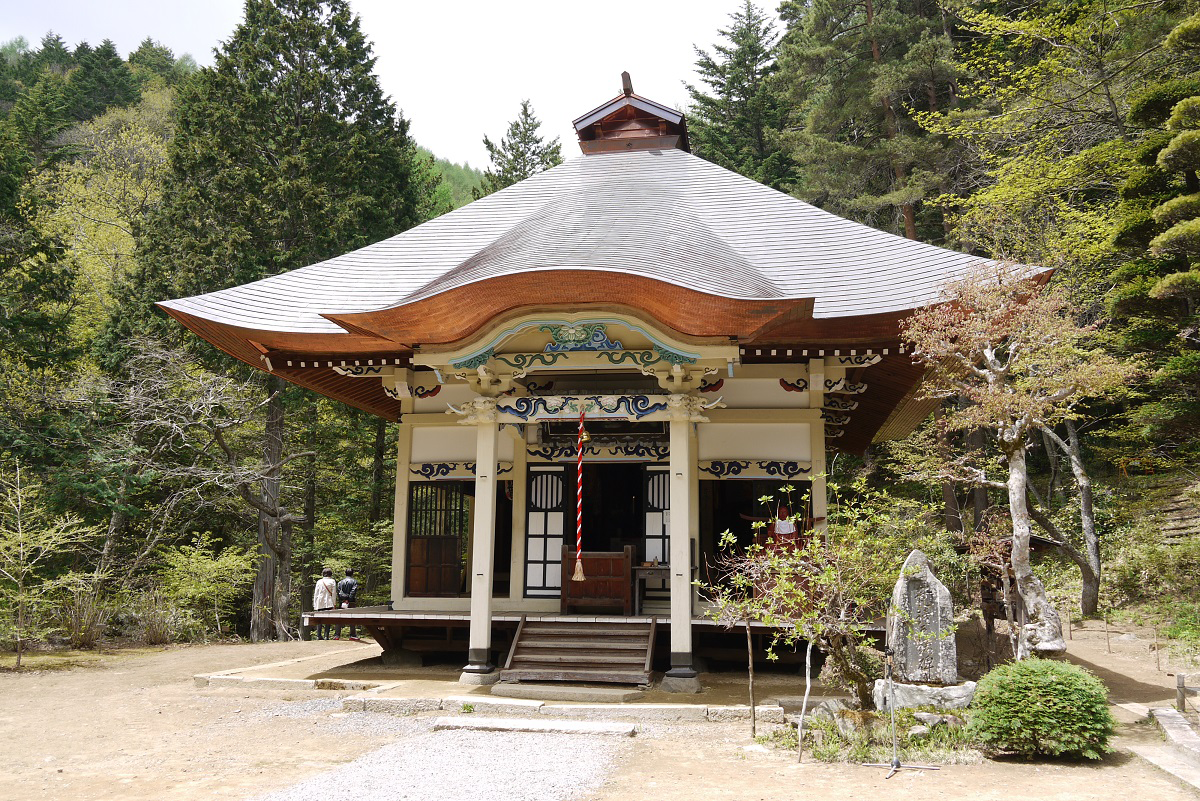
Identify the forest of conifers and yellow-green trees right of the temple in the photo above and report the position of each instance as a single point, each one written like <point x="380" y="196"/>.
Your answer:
<point x="1063" y="135"/>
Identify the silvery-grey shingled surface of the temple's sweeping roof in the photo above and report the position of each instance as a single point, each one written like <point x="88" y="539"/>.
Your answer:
<point x="664" y="215"/>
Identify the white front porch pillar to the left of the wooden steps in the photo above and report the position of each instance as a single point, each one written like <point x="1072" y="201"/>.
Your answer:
<point x="483" y="547"/>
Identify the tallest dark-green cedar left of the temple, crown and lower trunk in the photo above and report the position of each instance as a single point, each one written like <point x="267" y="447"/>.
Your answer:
<point x="287" y="154"/>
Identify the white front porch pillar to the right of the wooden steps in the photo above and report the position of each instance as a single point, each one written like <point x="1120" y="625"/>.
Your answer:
<point x="681" y="552"/>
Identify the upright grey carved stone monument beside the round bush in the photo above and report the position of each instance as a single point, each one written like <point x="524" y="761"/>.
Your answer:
<point x="921" y="627"/>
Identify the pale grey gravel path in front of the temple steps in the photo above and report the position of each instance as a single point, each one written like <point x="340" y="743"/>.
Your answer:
<point x="467" y="767"/>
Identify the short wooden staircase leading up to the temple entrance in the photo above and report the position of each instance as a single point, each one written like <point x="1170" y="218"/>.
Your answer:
<point x="610" y="652"/>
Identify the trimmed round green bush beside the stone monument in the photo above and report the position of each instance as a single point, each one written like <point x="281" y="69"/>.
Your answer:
<point x="1042" y="707"/>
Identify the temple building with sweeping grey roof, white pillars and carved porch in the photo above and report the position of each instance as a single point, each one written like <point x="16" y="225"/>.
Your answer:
<point x="718" y="340"/>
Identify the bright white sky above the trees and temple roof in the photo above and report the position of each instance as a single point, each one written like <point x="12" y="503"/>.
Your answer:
<point x="458" y="69"/>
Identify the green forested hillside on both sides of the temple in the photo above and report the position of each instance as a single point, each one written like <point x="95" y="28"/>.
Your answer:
<point x="173" y="485"/>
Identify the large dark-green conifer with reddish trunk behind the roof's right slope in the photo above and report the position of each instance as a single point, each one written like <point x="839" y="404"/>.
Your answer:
<point x="855" y="70"/>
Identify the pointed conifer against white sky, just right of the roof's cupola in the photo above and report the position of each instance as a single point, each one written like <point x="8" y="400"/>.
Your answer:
<point x="736" y="123"/>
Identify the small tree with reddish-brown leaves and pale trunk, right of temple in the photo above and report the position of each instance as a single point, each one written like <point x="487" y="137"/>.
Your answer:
<point x="1017" y="362"/>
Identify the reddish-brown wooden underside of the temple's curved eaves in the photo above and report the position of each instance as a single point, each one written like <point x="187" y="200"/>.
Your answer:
<point x="383" y="338"/>
